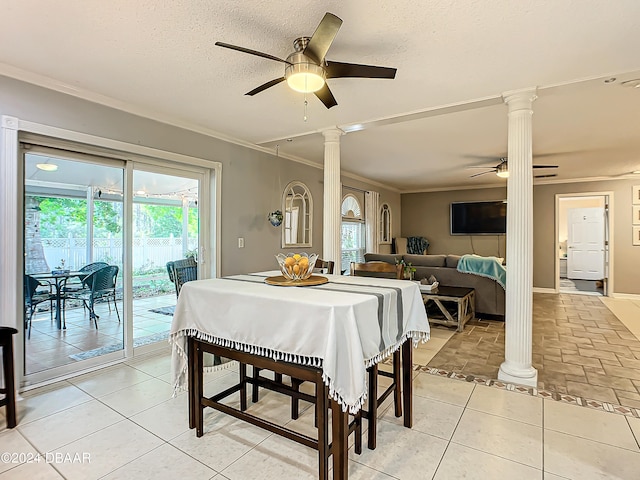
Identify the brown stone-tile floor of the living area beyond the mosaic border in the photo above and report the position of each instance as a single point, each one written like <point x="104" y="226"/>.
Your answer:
<point x="580" y="348"/>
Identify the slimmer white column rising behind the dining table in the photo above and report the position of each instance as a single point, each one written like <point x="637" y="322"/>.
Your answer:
<point x="331" y="224"/>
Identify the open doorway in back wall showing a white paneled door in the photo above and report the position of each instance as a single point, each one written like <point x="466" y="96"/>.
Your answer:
<point x="583" y="243"/>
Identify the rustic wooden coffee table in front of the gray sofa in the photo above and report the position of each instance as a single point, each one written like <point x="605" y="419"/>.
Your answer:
<point x="463" y="310"/>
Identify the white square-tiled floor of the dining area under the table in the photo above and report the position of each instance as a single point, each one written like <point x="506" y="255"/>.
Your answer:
<point x="121" y="422"/>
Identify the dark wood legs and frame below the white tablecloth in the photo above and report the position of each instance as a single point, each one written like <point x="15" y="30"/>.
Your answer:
<point x="341" y="428"/>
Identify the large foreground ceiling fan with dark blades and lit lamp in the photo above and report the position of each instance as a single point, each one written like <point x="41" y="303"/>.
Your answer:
<point x="307" y="69"/>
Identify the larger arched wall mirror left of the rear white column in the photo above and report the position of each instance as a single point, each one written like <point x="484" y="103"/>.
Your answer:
<point x="297" y="208"/>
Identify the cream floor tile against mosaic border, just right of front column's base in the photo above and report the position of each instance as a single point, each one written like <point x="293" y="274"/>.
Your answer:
<point x="589" y="423"/>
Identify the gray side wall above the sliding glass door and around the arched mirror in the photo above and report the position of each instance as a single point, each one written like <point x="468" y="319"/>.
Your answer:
<point x="252" y="181"/>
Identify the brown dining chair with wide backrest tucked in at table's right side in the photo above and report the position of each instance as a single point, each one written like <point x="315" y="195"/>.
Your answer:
<point x="386" y="270"/>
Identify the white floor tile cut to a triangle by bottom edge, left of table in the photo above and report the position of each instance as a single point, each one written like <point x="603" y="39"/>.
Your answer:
<point x="164" y="463"/>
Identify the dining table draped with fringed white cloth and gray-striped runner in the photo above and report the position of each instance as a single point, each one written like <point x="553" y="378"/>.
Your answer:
<point x="329" y="333"/>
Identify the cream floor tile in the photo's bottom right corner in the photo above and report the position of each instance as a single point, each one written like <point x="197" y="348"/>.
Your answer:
<point x="578" y="458"/>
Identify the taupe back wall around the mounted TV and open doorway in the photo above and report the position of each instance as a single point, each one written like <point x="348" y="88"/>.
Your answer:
<point x="427" y="214"/>
